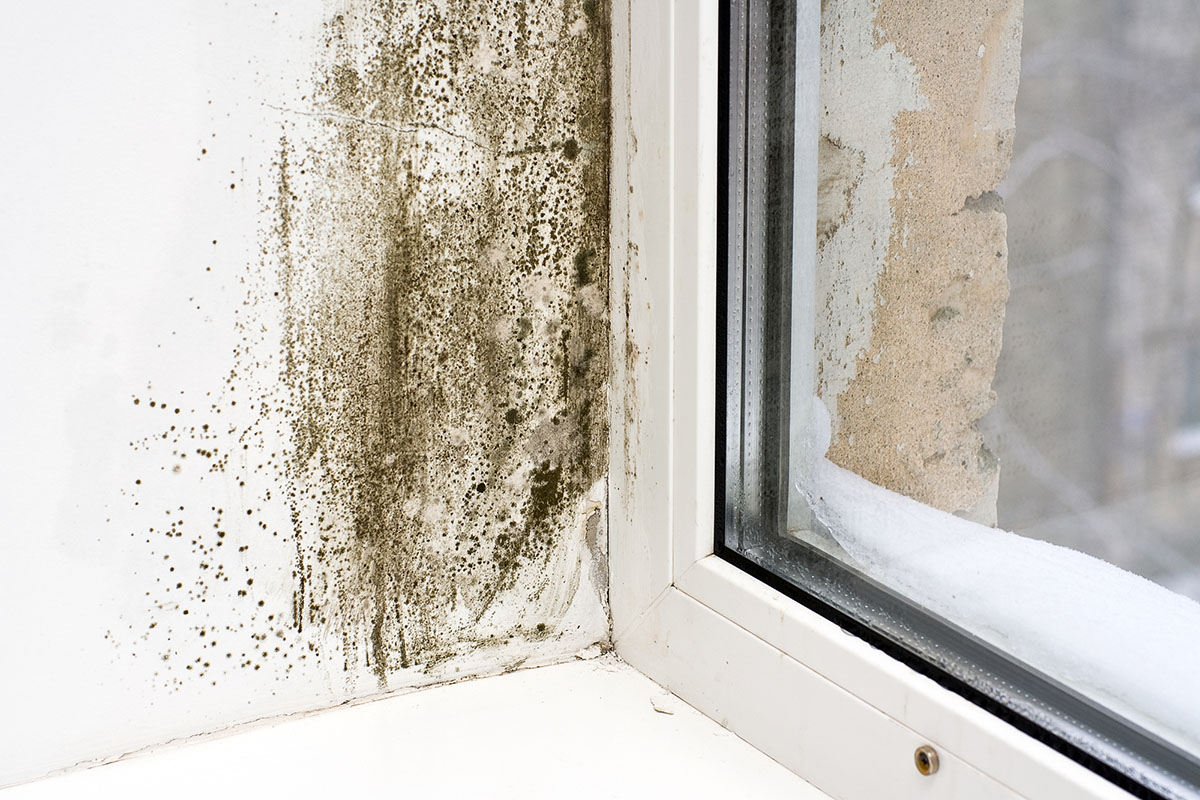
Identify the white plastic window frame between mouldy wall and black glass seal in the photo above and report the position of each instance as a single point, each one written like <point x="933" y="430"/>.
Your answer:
<point x="839" y="713"/>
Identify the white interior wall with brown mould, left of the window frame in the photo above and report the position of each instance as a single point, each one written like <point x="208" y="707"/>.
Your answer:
<point x="305" y="358"/>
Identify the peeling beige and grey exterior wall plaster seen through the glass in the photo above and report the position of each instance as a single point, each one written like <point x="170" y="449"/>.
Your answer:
<point x="917" y="130"/>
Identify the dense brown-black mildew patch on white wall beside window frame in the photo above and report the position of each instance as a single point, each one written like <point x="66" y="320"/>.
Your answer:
<point x="460" y="365"/>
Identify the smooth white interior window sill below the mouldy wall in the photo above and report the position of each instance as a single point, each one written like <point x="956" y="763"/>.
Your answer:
<point x="581" y="730"/>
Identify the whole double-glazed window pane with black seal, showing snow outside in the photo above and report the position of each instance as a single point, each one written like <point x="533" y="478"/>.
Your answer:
<point x="962" y="413"/>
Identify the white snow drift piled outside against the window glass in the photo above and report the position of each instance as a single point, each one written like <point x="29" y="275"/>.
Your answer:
<point x="1117" y="637"/>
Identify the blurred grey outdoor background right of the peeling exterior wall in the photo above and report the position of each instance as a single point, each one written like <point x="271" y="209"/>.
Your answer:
<point x="1097" y="435"/>
